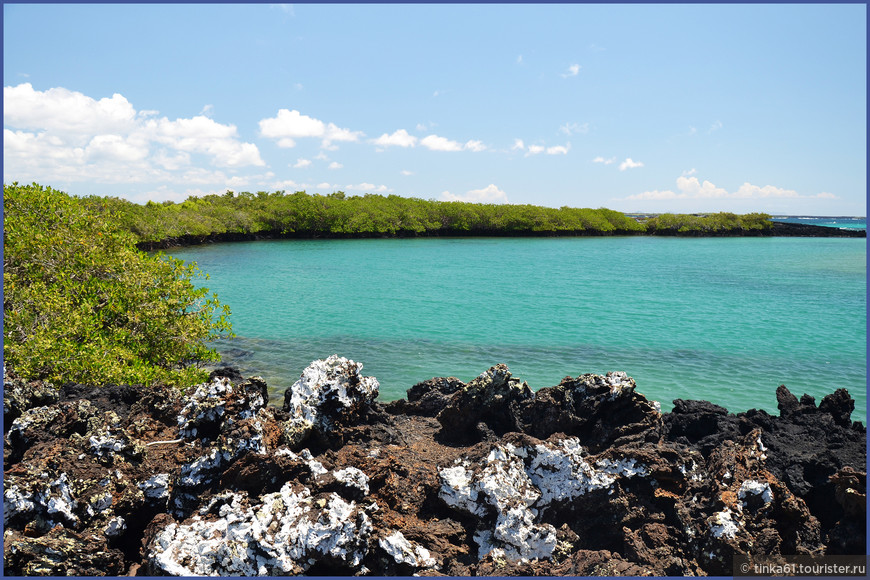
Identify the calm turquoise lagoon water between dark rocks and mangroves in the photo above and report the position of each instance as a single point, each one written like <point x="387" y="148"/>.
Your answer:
<point x="722" y="319"/>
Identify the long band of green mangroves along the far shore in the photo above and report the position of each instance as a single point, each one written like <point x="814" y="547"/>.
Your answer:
<point x="340" y="215"/>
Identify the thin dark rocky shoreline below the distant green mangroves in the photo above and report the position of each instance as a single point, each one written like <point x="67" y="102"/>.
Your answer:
<point x="778" y="229"/>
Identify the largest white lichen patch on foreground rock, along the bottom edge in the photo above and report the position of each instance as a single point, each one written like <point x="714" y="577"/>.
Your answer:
<point x="286" y="533"/>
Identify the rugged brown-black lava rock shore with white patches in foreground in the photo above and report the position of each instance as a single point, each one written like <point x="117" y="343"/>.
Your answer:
<point x="482" y="478"/>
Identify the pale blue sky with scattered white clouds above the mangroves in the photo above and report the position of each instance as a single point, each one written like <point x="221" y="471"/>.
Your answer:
<point x="648" y="107"/>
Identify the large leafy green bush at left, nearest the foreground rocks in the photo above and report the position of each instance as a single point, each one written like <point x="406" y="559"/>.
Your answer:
<point x="82" y="304"/>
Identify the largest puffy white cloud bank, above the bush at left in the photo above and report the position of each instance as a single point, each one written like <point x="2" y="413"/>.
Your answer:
<point x="63" y="135"/>
